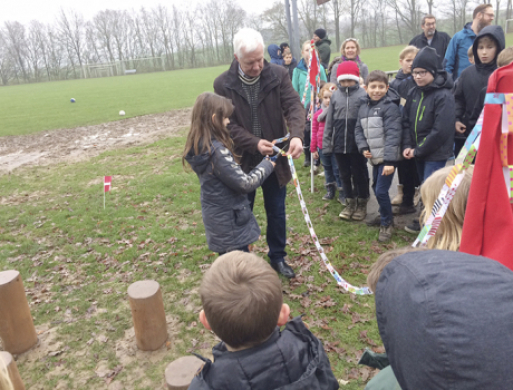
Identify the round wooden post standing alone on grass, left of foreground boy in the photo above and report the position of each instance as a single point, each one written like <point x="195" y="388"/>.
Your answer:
<point x="148" y="314"/>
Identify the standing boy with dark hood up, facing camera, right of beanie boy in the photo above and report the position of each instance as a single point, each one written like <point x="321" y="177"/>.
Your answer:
<point x="486" y="48"/>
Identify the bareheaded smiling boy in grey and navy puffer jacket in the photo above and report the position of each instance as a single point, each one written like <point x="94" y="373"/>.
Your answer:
<point x="378" y="136"/>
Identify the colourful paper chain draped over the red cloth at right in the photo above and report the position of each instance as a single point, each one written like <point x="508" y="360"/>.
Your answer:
<point x="463" y="161"/>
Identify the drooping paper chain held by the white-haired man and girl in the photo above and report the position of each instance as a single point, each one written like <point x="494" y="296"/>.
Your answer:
<point x="340" y="281"/>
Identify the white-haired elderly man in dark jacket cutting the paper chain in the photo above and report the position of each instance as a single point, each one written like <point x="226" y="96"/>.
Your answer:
<point x="266" y="108"/>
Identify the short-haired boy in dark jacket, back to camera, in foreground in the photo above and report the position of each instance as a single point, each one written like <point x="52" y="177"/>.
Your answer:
<point x="242" y="303"/>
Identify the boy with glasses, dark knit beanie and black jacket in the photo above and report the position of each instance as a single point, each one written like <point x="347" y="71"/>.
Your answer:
<point x="428" y="118"/>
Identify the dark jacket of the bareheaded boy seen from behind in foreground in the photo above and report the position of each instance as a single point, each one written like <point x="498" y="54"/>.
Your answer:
<point x="292" y="359"/>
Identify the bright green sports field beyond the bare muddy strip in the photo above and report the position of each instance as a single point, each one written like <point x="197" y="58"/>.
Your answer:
<point x="31" y="108"/>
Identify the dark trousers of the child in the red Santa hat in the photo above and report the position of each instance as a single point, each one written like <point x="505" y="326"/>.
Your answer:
<point x="353" y="165"/>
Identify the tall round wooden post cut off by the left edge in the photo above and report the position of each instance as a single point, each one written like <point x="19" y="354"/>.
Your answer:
<point x="16" y="325"/>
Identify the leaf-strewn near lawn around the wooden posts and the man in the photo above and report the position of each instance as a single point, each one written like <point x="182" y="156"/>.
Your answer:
<point x="77" y="261"/>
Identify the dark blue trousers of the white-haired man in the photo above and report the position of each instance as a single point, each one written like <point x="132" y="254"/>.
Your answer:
<point x="274" y="203"/>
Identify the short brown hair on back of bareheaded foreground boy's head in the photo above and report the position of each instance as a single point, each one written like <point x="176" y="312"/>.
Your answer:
<point x="242" y="299"/>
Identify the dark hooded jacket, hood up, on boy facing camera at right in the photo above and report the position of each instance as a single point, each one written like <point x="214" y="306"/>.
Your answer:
<point x="475" y="78"/>
